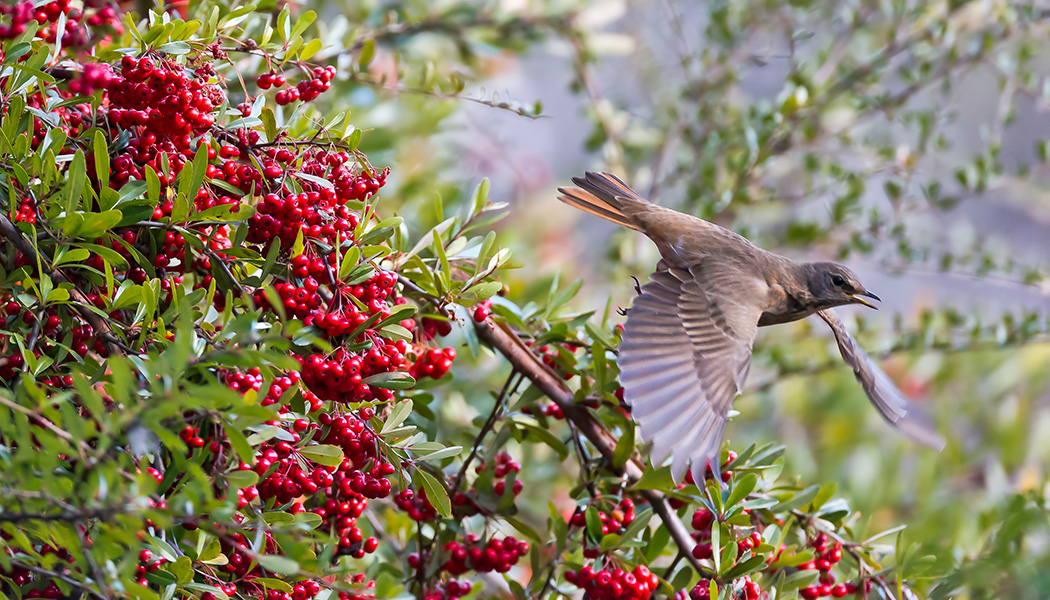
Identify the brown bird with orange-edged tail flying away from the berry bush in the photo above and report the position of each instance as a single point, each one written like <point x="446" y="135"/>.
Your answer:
<point x="687" y="344"/>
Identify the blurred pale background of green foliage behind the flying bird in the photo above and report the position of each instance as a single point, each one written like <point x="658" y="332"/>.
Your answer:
<point x="905" y="139"/>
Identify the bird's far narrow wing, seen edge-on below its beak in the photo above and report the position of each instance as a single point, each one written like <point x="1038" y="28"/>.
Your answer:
<point x="888" y="400"/>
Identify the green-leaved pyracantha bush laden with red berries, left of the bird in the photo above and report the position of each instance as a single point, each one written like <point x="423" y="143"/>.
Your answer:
<point x="218" y="357"/>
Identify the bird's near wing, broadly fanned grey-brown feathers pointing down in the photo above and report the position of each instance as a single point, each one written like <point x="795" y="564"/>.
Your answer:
<point x="685" y="356"/>
